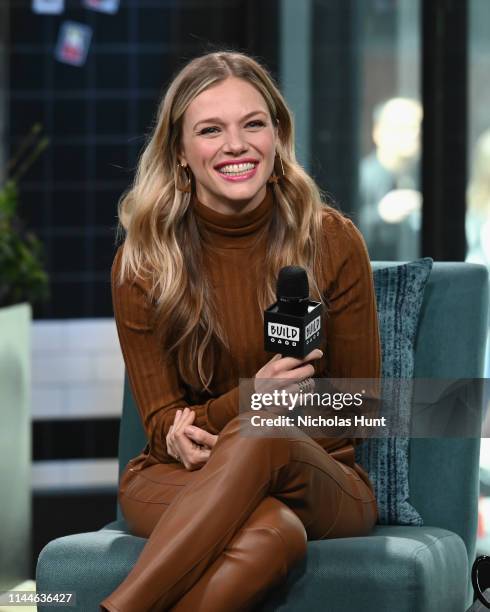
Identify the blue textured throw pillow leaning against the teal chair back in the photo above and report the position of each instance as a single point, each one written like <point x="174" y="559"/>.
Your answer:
<point x="399" y="296"/>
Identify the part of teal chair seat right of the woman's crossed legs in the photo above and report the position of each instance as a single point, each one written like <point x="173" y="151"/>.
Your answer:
<point x="400" y="568"/>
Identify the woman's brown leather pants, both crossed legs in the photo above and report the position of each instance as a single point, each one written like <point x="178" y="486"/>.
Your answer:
<point x="220" y="537"/>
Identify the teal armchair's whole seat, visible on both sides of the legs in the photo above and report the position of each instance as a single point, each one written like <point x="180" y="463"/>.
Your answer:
<point x="394" y="568"/>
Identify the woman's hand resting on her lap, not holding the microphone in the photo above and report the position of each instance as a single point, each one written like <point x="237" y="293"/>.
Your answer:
<point x="189" y="444"/>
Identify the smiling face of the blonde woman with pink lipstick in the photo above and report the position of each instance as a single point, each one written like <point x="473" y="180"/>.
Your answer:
<point x="229" y="142"/>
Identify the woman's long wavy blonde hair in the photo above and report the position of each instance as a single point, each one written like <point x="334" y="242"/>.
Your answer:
<point x="163" y="241"/>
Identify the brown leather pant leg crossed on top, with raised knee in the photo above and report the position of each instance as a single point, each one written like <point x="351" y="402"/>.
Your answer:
<point x="330" y="499"/>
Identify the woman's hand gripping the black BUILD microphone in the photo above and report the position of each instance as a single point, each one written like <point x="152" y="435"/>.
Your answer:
<point x="285" y="372"/>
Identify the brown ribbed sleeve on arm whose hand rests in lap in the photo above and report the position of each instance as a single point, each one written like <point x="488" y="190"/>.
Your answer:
<point x="155" y="383"/>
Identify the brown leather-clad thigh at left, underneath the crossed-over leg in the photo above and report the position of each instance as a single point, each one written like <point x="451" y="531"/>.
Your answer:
<point x="145" y="494"/>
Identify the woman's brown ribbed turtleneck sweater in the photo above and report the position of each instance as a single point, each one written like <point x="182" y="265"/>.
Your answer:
<point x="351" y="348"/>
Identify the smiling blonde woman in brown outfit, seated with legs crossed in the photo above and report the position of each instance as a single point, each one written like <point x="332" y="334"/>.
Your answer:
<point x="219" y="205"/>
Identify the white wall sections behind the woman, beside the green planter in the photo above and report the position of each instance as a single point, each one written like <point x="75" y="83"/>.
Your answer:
<point x="77" y="372"/>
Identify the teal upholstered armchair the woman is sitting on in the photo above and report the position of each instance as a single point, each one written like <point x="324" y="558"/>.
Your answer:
<point x="408" y="569"/>
